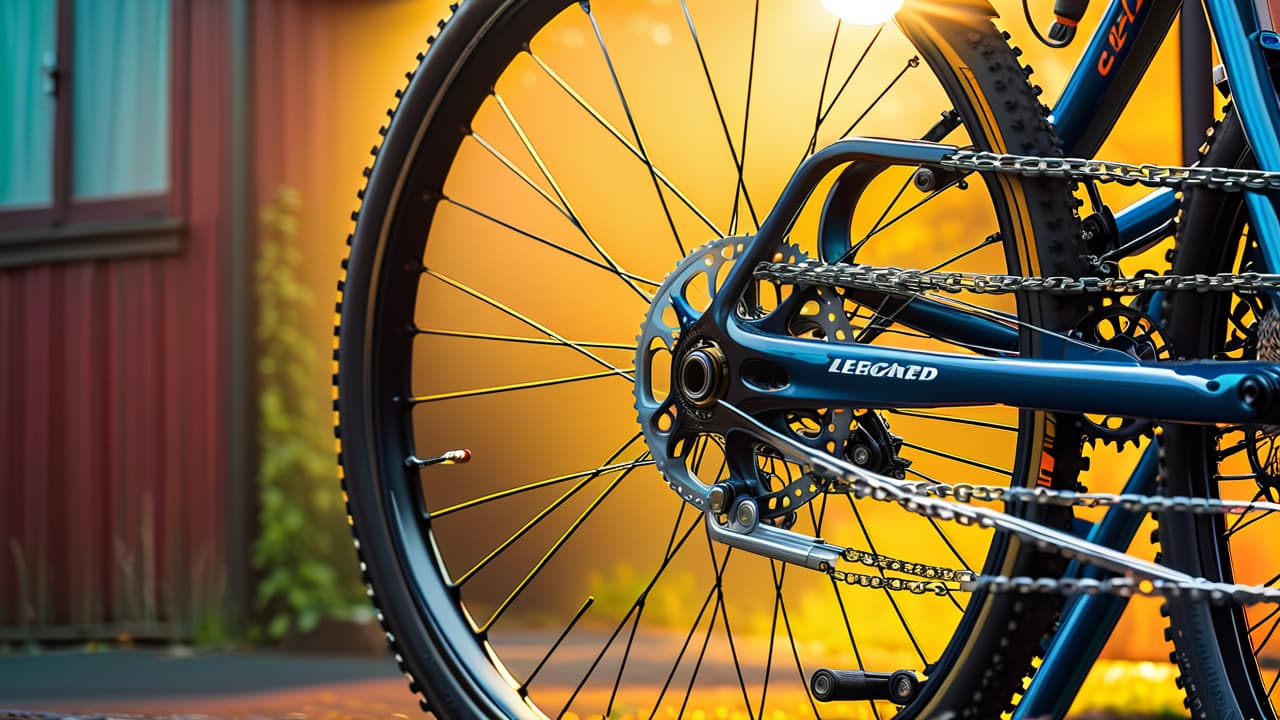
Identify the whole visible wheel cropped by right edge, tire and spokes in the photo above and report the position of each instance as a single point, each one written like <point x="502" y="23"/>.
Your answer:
<point x="1223" y="653"/>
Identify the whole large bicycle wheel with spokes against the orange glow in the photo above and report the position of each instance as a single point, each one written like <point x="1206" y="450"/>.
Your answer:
<point x="548" y="165"/>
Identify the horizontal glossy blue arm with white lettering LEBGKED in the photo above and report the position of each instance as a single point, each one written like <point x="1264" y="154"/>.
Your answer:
<point x="779" y="372"/>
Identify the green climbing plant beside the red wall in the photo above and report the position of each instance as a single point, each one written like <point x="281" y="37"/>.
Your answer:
<point x="301" y="552"/>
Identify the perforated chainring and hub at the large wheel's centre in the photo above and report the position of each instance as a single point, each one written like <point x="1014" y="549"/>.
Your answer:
<point x="683" y="373"/>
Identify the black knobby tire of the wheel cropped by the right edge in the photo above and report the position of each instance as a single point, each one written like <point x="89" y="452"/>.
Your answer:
<point x="1213" y="646"/>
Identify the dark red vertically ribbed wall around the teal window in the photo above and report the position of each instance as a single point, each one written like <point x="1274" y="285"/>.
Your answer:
<point x="112" y="413"/>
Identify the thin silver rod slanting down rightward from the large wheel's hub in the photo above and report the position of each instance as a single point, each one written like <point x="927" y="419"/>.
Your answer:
<point x="885" y="489"/>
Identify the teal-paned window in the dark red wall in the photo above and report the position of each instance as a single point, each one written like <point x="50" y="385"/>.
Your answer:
<point x="86" y="135"/>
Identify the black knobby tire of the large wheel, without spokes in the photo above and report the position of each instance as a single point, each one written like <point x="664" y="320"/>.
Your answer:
<point x="431" y="632"/>
